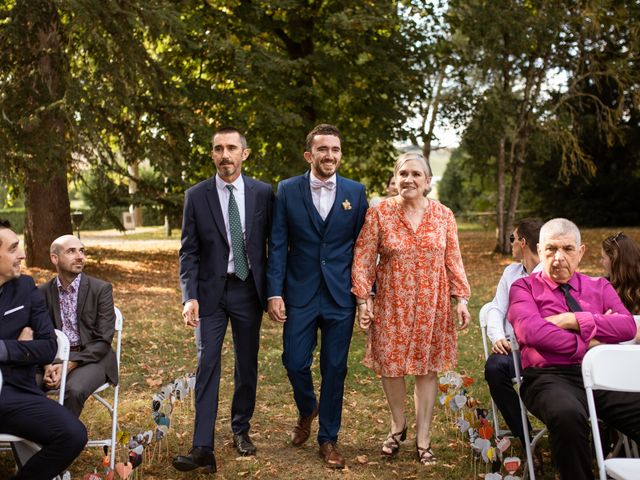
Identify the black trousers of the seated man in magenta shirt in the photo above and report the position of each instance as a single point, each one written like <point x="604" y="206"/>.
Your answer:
<point x="556" y="396"/>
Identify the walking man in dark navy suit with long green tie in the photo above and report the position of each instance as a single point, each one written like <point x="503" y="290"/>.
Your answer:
<point x="223" y="259"/>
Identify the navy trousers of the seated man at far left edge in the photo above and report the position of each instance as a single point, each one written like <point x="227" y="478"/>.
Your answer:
<point x="43" y="421"/>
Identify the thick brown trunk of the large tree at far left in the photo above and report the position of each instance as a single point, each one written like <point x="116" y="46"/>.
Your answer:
<point x="44" y="141"/>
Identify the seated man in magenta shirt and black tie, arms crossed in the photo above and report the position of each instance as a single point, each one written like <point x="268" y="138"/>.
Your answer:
<point x="557" y="315"/>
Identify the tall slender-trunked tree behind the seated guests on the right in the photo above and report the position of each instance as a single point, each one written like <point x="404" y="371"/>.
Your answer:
<point x="529" y="60"/>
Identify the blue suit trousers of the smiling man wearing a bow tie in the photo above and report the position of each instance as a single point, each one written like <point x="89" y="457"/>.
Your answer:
<point x="300" y="340"/>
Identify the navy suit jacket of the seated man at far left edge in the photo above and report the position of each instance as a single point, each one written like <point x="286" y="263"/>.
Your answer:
<point x="22" y="305"/>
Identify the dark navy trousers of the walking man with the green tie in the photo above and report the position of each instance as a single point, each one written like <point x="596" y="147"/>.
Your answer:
<point x="240" y="305"/>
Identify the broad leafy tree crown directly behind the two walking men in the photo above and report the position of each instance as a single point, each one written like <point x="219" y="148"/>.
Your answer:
<point x="292" y="64"/>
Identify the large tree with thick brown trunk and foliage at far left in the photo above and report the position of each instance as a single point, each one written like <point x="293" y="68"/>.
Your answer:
<point x="77" y="84"/>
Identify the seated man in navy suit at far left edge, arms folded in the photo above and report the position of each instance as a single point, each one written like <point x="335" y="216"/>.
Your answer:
<point x="27" y="339"/>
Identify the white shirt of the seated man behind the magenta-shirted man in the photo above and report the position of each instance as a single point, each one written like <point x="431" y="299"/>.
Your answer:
<point x="497" y="326"/>
